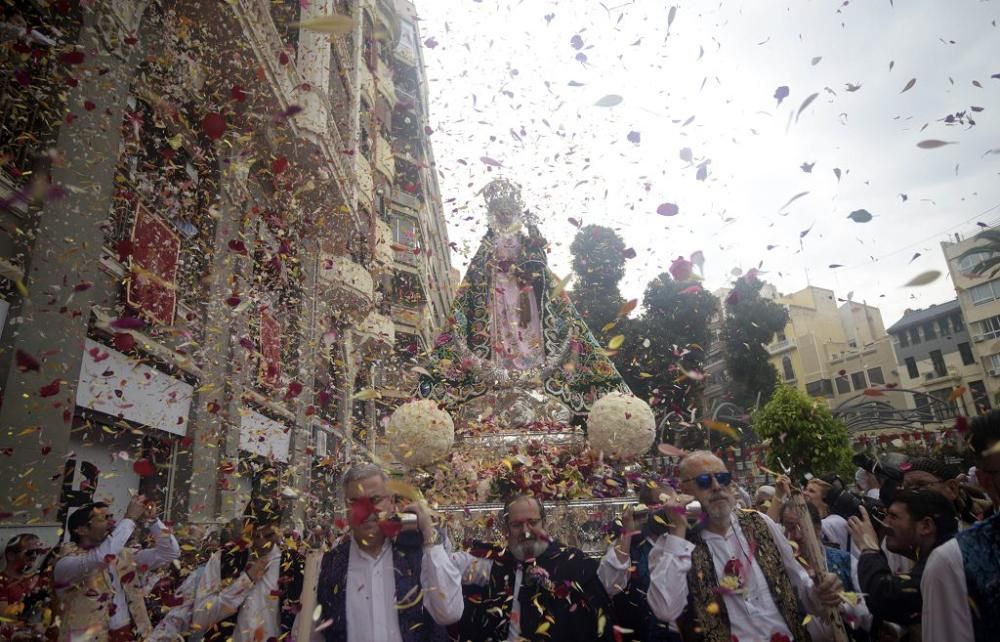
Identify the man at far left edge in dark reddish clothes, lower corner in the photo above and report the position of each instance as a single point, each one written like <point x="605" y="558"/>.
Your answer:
<point x="24" y="592"/>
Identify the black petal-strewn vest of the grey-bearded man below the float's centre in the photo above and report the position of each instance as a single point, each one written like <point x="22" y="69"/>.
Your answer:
<point x="571" y="606"/>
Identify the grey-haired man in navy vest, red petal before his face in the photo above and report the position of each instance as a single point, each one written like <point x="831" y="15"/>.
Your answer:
<point x="385" y="582"/>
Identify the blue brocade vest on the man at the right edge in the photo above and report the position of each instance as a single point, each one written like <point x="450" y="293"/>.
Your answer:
<point x="980" y="545"/>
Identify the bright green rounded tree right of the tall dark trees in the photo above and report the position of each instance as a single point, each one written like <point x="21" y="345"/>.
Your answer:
<point x="803" y="434"/>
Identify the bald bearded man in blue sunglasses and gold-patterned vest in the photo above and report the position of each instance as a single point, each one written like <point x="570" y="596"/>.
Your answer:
<point x="734" y="576"/>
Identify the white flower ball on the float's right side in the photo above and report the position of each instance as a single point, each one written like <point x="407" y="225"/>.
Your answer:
<point x="621" y="425"/>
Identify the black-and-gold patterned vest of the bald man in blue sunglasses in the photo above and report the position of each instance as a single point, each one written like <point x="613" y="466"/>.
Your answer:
<point x="698" y="624"/>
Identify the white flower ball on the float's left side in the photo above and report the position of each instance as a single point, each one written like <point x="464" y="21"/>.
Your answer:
<point x="420" y="433"/>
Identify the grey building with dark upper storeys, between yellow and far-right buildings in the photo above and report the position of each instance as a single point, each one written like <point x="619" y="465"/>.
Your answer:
<point x="934" y="355"/>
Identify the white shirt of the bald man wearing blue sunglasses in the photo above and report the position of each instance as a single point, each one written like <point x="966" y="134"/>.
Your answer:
<point x="753" y="615"/>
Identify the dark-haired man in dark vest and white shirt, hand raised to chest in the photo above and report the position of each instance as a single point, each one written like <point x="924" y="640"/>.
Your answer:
<point x="250" y="589"/>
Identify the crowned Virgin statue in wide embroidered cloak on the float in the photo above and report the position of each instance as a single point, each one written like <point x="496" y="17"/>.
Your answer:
<point x="515" y="348"/>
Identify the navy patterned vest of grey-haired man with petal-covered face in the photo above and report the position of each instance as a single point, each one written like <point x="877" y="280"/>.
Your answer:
<point x="415" y="622"/>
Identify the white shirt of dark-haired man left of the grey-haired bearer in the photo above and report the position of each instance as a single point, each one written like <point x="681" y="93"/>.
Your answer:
<point x="254" y="601"/>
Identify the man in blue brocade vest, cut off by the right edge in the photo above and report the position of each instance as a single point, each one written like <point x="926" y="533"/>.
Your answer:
<point x="961" y="582"/>
